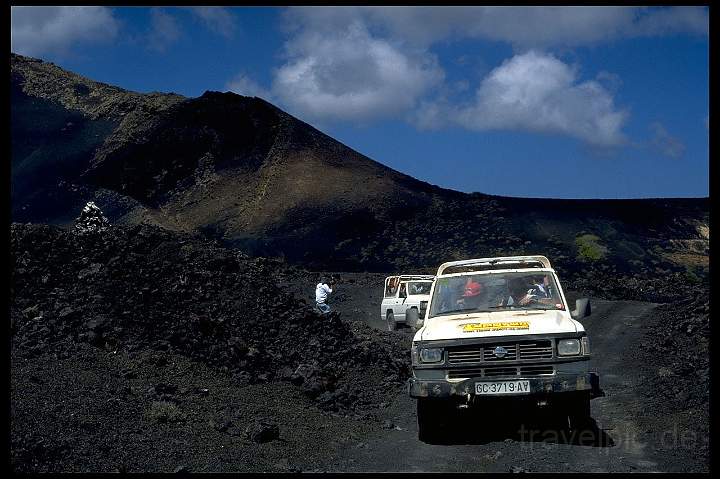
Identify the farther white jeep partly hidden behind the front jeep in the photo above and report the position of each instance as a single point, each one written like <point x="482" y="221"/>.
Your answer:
<point x="405" y="300"/>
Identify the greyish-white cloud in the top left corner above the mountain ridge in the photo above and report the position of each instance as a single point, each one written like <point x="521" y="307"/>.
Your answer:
<point x="36" y="31"/>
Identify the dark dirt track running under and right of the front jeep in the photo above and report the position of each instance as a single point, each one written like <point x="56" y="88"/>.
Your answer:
<point x="623" y="441"/>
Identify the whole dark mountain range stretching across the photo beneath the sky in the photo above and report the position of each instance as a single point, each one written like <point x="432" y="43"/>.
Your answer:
<point x="240" y="170"/>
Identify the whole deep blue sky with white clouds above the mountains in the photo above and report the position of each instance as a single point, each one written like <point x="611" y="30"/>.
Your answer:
<point x="552" y="102"/>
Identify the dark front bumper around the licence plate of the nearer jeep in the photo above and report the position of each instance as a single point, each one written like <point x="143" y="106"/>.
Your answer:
<point x="558" y="383"/>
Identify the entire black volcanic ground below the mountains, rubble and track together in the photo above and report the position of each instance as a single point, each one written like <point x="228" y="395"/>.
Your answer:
<point x="142" y="350"/>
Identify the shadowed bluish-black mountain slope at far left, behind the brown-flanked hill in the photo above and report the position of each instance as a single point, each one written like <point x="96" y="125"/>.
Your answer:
<point x="59" y="121"/>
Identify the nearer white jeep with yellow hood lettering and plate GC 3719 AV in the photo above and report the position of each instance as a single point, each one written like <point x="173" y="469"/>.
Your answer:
<point x="499" y="329"/>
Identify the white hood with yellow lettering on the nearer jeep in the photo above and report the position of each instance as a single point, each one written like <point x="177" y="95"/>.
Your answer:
<point x="500" y="323"/>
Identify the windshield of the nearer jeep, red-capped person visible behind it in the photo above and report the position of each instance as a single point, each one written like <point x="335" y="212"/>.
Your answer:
<point x="488" y="292"/>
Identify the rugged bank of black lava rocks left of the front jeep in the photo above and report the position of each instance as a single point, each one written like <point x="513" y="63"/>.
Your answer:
<point x="175" y="294"/>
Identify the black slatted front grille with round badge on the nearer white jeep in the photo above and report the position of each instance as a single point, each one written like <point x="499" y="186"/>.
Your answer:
<point x="523" y="350"/>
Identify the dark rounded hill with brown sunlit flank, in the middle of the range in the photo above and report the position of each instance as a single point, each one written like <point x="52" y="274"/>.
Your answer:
<point x="239" y="165"/>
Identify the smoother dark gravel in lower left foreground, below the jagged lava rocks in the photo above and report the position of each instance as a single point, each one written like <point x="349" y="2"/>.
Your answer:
<point x="98" y="411"/>
